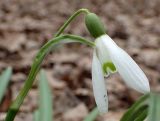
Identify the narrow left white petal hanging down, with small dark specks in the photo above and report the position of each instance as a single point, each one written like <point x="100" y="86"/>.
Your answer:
<point x="99" y="88"/>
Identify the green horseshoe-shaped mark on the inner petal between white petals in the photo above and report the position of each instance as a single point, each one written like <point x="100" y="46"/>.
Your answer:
<point x="108" y="67"/>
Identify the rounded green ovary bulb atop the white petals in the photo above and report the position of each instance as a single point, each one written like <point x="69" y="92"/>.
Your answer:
<point x="94" y="25"/>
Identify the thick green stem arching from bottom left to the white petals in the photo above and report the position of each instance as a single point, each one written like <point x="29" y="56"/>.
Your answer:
<point x="13" y="109"/>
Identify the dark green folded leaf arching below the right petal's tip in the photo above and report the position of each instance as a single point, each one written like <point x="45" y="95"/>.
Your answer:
<point x="136" y="107"/>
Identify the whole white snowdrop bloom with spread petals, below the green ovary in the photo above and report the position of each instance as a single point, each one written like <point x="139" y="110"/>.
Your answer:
<point x="109" y="58"/>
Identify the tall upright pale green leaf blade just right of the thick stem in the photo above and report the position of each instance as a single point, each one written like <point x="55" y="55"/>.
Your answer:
<point x="45" y="106"/>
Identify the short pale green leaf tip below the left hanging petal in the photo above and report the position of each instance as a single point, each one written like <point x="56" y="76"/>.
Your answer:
<point x="92" y="115"/>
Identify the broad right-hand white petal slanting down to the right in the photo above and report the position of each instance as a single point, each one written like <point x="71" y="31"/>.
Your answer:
<point x="129" y="70"/>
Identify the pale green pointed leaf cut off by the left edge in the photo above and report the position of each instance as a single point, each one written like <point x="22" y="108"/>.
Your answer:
<point x="4" y="80"/>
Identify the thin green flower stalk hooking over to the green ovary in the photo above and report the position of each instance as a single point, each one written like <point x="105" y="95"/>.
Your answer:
<point x="70" y="19"/>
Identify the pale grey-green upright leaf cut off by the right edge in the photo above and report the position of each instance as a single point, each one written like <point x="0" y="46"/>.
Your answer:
<point x="154" y="108"/>
